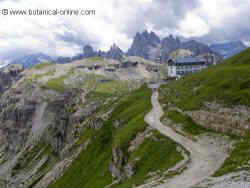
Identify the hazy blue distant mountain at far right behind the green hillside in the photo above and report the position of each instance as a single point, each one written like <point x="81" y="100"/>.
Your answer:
<point x="228" y="49"/>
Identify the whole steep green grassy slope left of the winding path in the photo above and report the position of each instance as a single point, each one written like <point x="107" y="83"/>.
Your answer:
<point x="90" y="169"/>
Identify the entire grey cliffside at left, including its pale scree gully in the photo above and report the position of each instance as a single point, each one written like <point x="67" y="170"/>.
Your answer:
<point x="24" y="127"/>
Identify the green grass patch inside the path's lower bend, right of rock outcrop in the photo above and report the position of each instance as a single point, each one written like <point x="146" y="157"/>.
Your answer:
<point x="154" y="155"/>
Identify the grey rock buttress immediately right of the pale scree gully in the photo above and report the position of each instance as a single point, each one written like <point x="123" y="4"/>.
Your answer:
<point x="62" y="118"/>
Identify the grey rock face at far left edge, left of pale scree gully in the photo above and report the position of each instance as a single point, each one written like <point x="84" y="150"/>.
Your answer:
<point x="16" y="118"/>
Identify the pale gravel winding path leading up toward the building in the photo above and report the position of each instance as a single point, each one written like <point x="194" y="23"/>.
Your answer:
<point x="205" y="157"/>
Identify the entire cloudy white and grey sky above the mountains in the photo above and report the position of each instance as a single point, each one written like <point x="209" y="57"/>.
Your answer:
<point x="117" y="21"/>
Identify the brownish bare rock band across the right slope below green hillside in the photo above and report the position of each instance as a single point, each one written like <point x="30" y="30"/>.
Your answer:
<point x="226" y="120"/>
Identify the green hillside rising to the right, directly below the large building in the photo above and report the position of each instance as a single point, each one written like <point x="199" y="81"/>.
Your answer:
<point x="227" y="83"/>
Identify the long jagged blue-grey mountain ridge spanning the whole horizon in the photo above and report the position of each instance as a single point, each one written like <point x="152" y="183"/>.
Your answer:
<point x="146" y="45"/>
